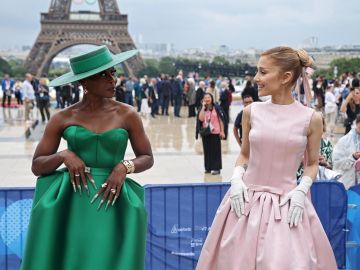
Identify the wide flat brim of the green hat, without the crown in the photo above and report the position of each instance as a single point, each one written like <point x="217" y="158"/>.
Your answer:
<point x="71" y="77"/>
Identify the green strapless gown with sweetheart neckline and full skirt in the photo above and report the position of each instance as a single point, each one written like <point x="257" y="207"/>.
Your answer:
<point x="66" y="232"/>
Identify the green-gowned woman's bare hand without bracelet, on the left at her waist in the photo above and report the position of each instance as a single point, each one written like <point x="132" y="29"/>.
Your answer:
<point x="77" y="170"/>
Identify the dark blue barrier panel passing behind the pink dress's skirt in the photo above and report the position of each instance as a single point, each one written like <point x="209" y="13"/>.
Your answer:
<point x="180" y="217"/>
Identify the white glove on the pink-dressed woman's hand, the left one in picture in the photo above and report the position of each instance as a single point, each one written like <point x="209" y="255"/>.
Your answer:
<point x="238" y="191"/>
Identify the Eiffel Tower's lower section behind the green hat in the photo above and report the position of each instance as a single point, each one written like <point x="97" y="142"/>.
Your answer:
<point x="61" y="29"/>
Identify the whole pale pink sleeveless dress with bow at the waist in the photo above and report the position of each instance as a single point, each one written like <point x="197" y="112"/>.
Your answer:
<point x="262" y="239"/>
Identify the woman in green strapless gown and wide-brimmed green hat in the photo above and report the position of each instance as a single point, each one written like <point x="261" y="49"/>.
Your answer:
<point x="89" y="215"/>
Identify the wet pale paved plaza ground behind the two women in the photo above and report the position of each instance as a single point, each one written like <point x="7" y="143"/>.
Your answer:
<point x="178" y="156"/>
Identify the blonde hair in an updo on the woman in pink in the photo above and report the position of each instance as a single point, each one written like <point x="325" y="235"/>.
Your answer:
<point x="289" y="59"/>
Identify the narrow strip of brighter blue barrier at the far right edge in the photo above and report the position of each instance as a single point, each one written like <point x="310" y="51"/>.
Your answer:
<point x="353" y="236"/>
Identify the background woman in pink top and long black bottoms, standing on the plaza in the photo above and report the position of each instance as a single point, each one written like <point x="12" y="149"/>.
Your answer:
<point x="211" y="115"/>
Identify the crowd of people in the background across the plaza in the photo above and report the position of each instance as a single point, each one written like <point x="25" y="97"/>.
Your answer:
<point x="338" y="99"/>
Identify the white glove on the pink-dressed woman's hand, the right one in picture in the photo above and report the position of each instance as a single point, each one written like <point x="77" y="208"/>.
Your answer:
<point x="297" y="201"/>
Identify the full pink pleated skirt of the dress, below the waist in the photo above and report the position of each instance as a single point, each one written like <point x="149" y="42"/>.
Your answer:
<point x="263" y="240"/>
